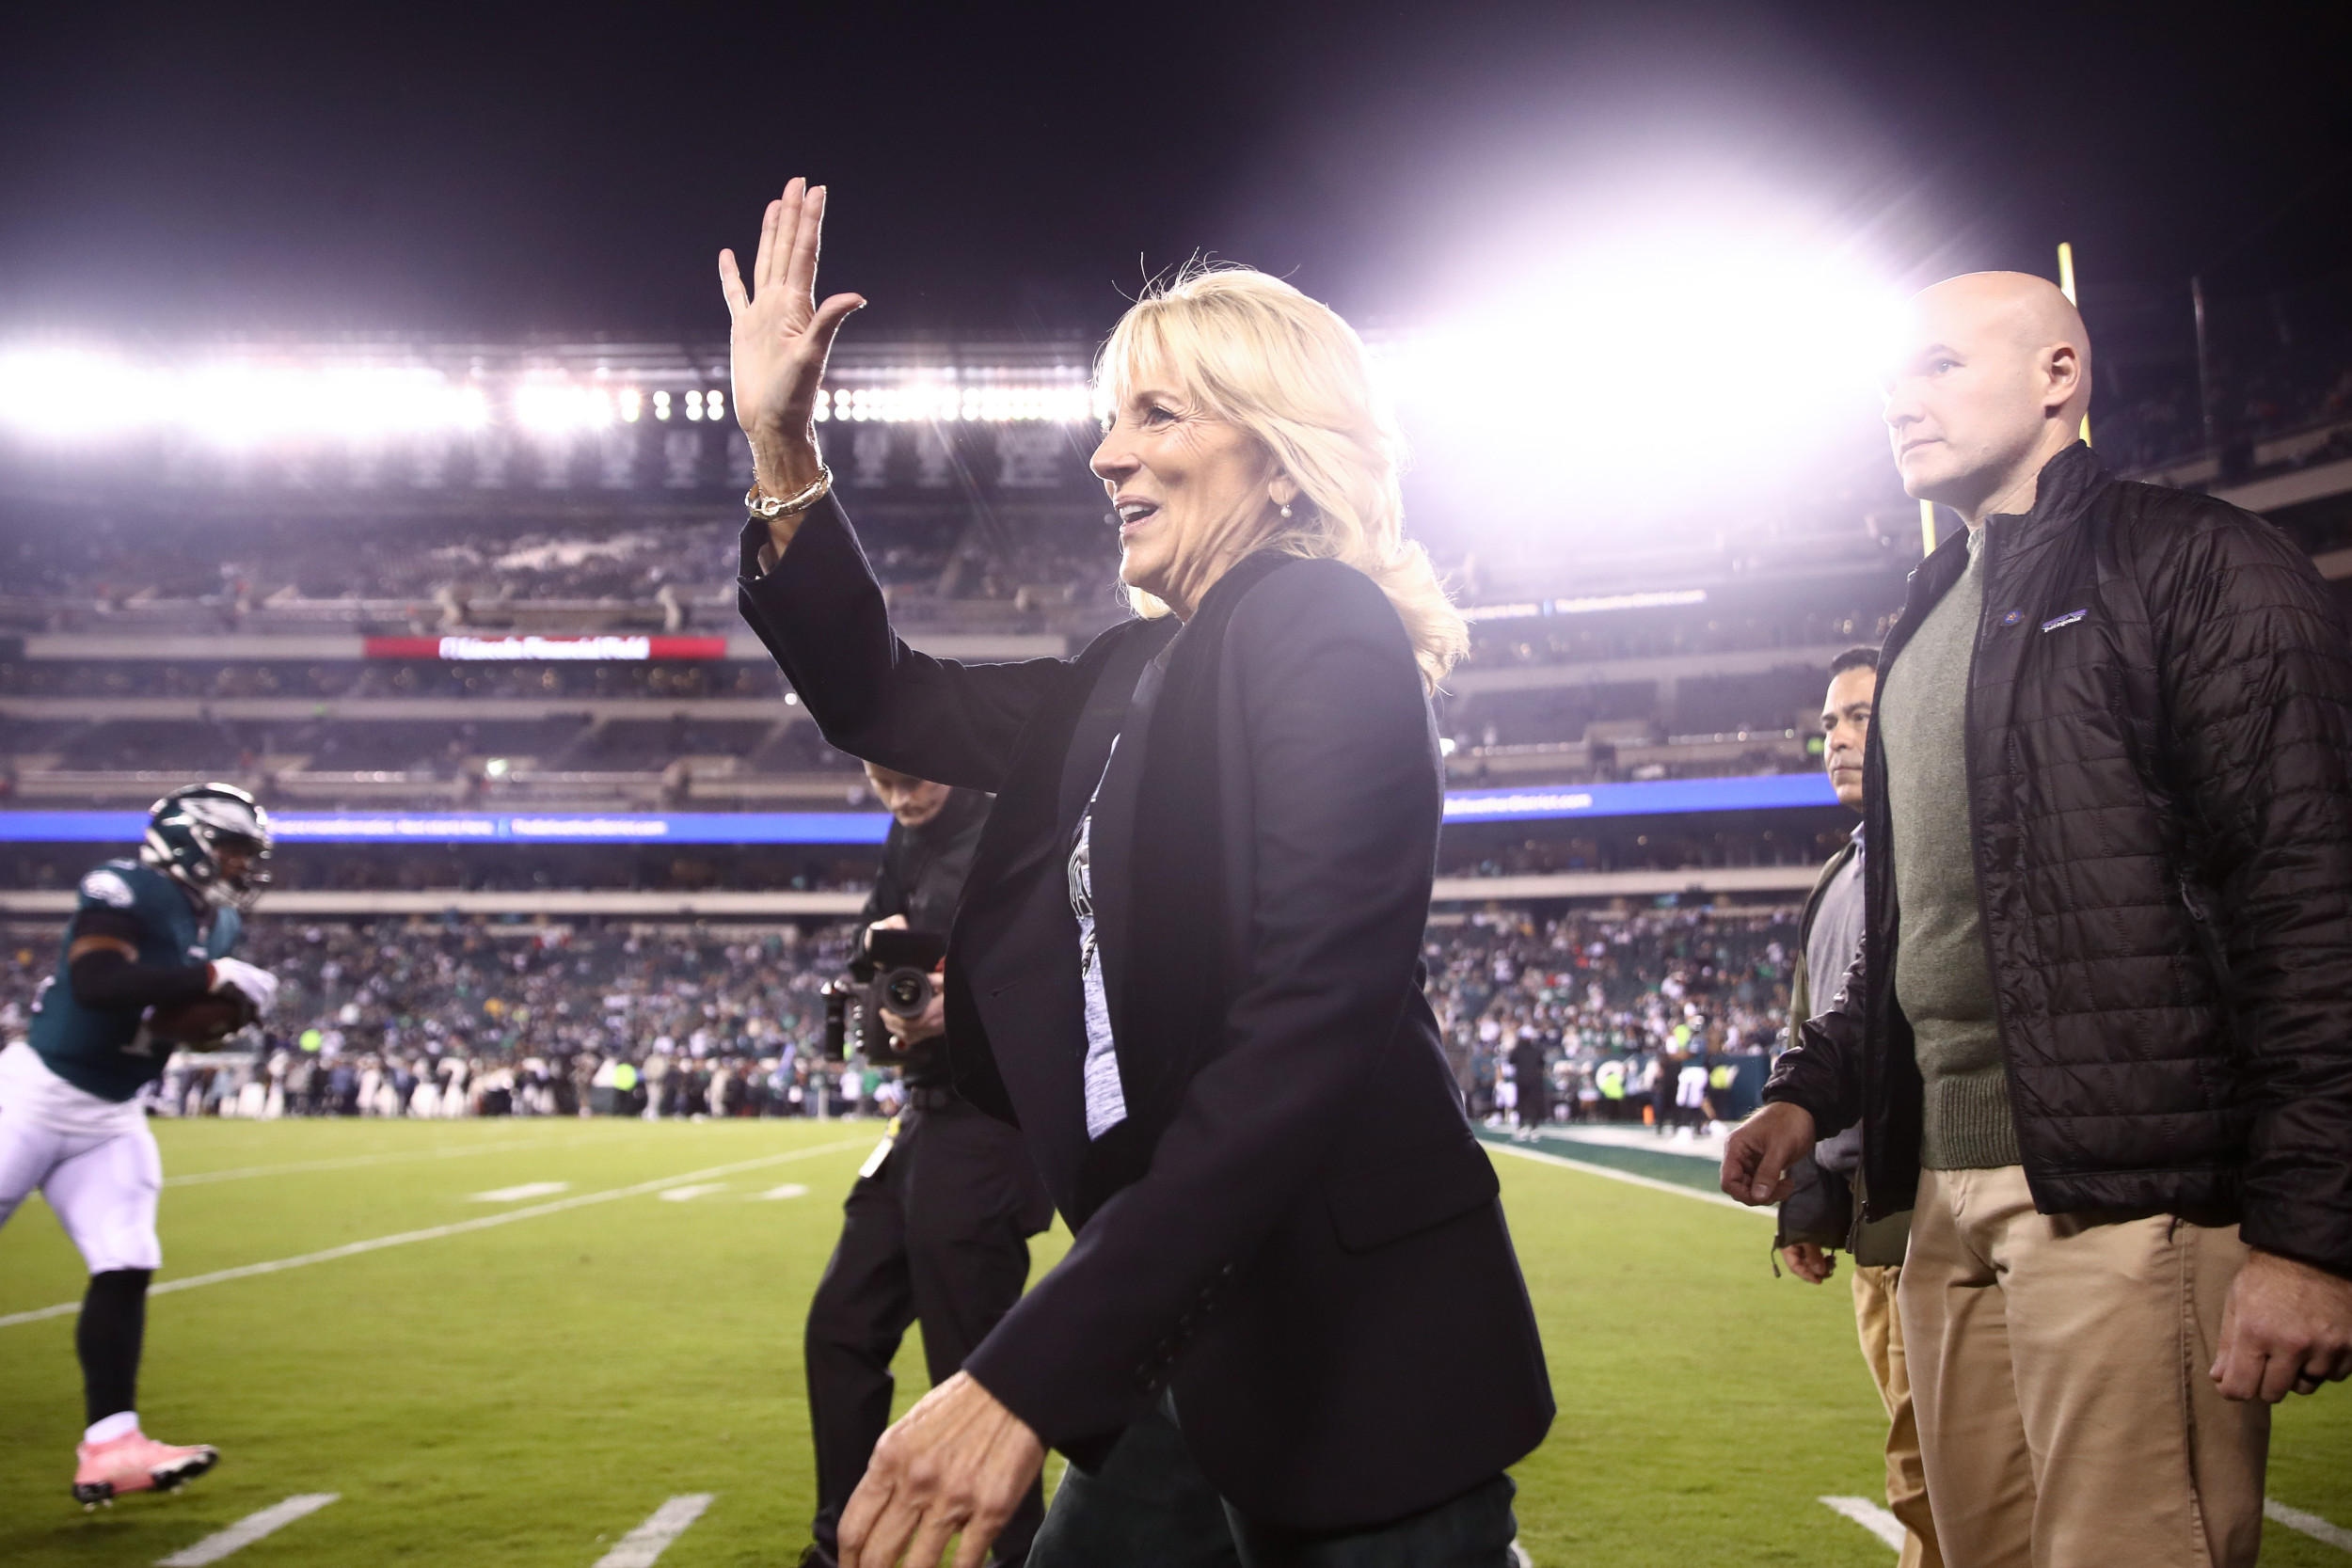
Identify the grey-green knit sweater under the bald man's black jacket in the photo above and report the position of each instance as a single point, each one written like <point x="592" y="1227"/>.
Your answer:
<point x="1942" y="977"/>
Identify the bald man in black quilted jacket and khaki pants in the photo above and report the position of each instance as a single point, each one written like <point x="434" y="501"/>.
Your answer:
<point x="2099" y="1019"/>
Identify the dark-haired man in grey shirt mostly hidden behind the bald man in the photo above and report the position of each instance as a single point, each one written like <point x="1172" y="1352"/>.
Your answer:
<point x="1829" y="939"/>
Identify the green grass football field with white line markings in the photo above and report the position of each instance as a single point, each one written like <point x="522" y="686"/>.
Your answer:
<point x="528" y="1393"/>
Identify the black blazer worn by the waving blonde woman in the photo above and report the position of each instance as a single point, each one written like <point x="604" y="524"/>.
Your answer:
<point x="1295" y="1226"/>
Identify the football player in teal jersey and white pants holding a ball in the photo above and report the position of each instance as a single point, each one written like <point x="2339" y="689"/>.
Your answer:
<point x="145" y="967"/>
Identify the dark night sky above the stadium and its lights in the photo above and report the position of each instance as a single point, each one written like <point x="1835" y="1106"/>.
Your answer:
<point x="1015" y="168"/>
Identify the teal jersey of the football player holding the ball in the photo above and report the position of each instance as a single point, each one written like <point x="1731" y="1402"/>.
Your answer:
<point x="109" y="1052"/>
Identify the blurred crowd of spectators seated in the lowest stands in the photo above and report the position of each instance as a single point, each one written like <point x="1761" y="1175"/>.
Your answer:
<point x="410" y="1019"/>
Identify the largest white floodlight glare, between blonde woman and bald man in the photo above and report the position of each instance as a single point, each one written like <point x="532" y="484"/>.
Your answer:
<point x="1664" y="359"/>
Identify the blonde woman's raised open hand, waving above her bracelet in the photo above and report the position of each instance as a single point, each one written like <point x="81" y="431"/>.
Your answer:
<point x="782" y="340"/>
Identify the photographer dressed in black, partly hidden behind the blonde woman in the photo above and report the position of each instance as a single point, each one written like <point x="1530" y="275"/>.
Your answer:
<point x="937" y="1224"/>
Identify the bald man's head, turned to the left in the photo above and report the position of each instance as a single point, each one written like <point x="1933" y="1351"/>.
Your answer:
<point x="1993" y="377"/>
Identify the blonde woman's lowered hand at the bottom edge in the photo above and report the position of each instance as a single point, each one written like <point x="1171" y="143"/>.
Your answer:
<point x="954" y="1466"/>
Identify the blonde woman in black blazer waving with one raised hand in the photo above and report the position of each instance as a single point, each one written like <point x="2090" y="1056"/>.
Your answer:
<point x="1189" y="967"/>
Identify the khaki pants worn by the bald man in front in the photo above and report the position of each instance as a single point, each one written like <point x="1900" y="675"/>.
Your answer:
<point x="2059" y="1374"/>
